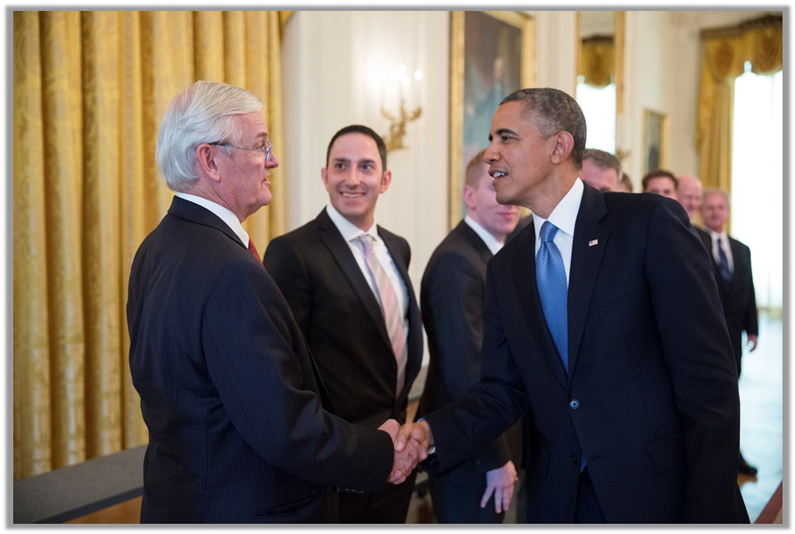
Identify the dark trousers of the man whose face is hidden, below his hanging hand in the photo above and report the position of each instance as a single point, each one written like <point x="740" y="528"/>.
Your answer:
<point x="460" y="503"/>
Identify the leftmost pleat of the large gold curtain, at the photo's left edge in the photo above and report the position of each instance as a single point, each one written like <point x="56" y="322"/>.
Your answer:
<point x="32" y="403"/>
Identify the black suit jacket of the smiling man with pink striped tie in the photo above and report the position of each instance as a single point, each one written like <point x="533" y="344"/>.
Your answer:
<point x="342" y="321"/>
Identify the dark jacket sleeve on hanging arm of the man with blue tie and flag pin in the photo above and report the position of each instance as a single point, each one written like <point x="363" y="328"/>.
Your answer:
<point x="700" y="362"/>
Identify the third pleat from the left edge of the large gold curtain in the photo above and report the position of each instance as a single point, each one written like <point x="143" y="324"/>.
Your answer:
<point x="101" y="258"/>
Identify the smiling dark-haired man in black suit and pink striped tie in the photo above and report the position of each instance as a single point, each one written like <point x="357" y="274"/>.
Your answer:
<point x="346" y="281"/>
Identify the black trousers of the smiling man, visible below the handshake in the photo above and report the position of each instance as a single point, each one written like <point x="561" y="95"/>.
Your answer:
<point x="389" y="504"/>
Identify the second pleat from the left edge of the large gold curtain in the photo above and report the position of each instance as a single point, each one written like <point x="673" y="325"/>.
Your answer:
<point x="62" y="121"/>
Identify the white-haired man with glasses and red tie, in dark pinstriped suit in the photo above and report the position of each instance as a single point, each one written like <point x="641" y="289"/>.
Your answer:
<point x="237" y="430"/>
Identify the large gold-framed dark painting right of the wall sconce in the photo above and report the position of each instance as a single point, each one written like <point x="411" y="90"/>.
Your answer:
<point x="503" y="41"/>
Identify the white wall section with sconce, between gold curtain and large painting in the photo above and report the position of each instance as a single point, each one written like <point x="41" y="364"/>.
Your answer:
<point x="329" y="61"/>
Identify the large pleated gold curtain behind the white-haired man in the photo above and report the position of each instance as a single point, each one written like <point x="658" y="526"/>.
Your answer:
<point x="90" y="89"/>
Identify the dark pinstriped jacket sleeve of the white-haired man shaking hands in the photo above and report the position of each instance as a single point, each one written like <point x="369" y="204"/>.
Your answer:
<point x="258" y="361"/>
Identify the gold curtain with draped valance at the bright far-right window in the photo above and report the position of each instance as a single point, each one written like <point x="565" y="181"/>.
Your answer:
<point x="725" y="52"/>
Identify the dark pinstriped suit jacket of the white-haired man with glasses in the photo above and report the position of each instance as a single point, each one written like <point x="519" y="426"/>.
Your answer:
<point x="237" y="432"/>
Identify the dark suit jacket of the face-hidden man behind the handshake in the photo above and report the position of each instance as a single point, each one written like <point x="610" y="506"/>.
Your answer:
<point x="451" y="297"/>
